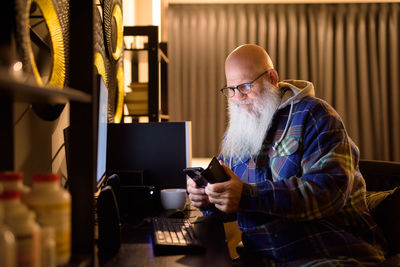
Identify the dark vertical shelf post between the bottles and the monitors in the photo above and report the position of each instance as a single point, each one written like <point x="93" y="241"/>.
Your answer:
<point x="82" y="132"/>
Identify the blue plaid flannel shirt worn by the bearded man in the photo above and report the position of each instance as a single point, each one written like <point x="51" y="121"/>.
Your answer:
<point x="303" y="194"/>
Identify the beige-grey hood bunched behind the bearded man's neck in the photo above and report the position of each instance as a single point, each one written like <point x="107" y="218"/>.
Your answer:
<point x="294" y="90"/>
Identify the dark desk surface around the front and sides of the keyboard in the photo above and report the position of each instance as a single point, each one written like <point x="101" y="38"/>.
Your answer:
<point x="136" y="248"/>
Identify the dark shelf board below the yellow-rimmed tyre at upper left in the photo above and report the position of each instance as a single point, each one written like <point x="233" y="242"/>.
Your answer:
<point x="26" y="91"/>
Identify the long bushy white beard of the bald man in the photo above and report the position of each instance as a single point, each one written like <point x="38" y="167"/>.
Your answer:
<point x="246" y="130"/>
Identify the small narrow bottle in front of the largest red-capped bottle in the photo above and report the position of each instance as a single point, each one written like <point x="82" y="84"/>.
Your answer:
<point x="48" y="247"/>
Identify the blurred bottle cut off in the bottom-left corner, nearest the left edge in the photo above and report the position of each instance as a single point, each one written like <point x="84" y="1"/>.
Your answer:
<point x="7" y="242"/>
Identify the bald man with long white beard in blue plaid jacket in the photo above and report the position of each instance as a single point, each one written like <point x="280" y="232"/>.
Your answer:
<point x="294" y="179"/>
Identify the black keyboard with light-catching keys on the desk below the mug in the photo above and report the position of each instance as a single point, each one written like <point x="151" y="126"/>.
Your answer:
<point x="175" y="236"/>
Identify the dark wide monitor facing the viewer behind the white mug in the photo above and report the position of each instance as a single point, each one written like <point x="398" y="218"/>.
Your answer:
<point x="159" y="151"/>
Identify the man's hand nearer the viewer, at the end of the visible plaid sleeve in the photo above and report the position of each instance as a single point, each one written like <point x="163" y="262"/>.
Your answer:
<point x="226" y="195"/>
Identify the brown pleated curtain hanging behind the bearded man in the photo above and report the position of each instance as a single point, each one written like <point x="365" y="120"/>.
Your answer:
<point x="349" y="51"/>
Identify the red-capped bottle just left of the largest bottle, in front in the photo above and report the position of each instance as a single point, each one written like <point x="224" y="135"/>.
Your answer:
<point x="22" y="223"/>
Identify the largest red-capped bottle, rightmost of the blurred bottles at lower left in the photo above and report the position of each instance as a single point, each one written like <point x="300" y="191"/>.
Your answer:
<point x="52" y="205"/>
